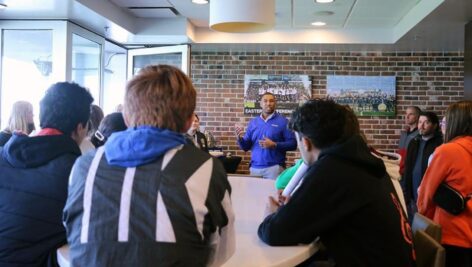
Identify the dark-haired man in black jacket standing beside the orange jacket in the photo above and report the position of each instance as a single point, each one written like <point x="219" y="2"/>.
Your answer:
<point x="420" y="148"/>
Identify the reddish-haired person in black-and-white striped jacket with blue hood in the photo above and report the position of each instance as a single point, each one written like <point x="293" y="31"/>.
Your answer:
<point x="147" y="197"/>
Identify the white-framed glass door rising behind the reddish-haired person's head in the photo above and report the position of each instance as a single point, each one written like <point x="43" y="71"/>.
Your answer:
<point x="177" y="56"/>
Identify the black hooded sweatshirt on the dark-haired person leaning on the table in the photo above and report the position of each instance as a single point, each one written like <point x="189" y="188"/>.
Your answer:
<point x="347" y="200"/>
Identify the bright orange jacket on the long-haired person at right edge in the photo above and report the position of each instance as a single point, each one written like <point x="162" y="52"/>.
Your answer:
<point x="452" y="163"/>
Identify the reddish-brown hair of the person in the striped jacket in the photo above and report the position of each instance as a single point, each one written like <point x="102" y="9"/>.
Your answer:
<point x="161" y="96"/>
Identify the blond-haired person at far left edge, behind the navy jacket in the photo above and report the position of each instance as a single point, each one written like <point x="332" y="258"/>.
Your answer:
<point x="21" y="120"/>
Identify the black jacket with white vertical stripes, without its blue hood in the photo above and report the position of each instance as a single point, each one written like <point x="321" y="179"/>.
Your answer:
<point x="175" y="211"/>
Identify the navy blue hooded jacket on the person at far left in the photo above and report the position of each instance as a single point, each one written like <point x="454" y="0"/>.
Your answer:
<point x="34" y="174"/>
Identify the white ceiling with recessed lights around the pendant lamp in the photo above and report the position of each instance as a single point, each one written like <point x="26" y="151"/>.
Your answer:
<point x="351" y="24"/>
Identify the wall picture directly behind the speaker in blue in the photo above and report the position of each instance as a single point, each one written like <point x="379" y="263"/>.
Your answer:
<point x="289" y="90"/>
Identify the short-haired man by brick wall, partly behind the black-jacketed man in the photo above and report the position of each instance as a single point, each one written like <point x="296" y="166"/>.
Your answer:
<point x="410" y="131"/>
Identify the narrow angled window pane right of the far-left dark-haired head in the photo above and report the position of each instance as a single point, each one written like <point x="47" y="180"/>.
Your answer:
<point x="86" y="58"/>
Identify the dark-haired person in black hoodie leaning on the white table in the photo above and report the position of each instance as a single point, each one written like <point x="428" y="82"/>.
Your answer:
<point x="345" y="197"/>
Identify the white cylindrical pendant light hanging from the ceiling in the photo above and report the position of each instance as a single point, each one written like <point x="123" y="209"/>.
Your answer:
<point x="240" y="16"/>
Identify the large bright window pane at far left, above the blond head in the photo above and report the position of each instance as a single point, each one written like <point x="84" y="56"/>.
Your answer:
<point x="26" y="69"/>
